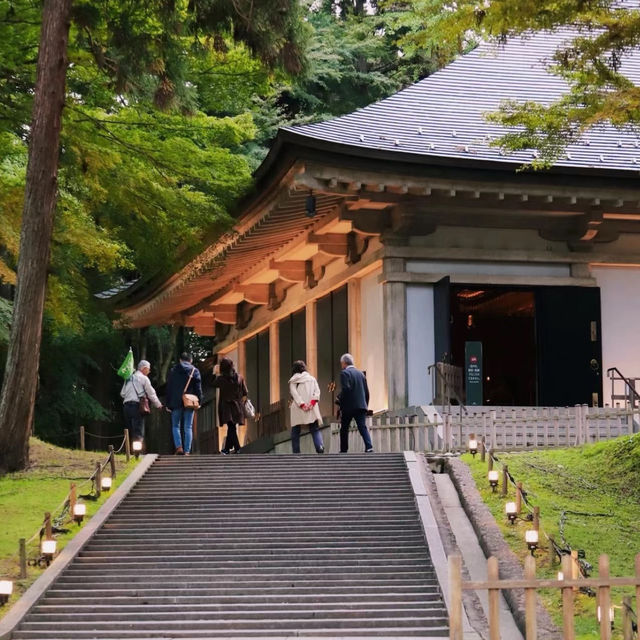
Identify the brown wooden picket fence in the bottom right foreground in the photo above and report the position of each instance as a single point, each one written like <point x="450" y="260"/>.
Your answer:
<point x="530" y="583"/>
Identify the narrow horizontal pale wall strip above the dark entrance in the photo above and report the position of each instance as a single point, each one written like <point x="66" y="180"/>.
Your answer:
<point x="489" y="268"/>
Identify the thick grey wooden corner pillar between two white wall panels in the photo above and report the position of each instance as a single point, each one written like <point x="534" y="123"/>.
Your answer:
<point x="394" y="297"/>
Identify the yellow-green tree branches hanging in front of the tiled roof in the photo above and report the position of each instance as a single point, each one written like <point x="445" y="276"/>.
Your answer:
<point x="590" y="62"/>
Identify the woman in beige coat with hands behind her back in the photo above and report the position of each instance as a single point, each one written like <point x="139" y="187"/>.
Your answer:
<point x="305" y="394"/>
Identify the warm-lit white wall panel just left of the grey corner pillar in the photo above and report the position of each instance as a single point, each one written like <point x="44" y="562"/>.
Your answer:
<point x="372" y="340"/>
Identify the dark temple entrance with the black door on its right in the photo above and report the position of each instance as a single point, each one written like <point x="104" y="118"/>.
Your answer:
<point x="541" y="345"/>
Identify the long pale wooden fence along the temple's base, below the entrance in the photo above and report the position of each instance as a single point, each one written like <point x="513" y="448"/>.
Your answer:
<point x="506" y="430"/>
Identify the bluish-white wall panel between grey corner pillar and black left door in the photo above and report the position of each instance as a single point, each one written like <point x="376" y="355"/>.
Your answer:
<point x="420" y="343"/>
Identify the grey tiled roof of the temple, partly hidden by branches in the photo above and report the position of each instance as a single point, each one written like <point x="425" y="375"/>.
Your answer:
<point x="443" y="116"/>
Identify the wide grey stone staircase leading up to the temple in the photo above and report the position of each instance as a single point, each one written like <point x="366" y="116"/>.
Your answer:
<point x="253" y="546"/>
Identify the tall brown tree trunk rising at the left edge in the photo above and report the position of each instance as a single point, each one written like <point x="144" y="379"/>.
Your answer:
<point x="21" y="374"/>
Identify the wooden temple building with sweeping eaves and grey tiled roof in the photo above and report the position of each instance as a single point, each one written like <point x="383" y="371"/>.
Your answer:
<point x="401" y="234"/>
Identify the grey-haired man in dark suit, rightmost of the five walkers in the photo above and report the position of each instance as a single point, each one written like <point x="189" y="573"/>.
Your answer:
<point x="353" y="400"/>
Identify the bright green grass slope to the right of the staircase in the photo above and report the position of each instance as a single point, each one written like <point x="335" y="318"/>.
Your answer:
<point x="598" y="489"/>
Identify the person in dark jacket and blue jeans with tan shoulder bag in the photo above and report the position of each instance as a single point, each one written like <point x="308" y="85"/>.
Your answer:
<point x="183" y="378"/>
